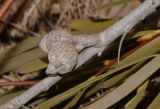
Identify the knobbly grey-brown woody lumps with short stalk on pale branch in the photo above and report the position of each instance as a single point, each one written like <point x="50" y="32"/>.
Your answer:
<point x="63" y="49"/>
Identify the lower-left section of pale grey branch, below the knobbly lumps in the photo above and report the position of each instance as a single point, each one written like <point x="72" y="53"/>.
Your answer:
<point x="40" y="87"/>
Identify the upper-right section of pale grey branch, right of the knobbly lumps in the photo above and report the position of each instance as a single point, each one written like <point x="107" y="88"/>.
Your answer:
<point x="119" y="28"/>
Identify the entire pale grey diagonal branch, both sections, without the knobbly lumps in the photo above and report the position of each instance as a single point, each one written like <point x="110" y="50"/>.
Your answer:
<point x="106" y="37"/>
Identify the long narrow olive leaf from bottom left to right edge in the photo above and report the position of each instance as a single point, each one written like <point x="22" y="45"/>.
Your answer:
<point x="71" y="92"/>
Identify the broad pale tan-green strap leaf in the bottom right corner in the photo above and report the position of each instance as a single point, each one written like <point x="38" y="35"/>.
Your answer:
<point x="128" y="86"/>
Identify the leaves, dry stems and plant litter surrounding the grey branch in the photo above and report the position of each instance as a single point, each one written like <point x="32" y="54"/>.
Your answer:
<point x="135" y="84"/>
